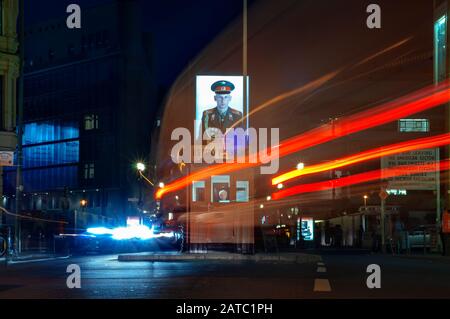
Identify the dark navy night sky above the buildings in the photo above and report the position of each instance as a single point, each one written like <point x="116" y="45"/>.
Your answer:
<point x="198" y="21"/>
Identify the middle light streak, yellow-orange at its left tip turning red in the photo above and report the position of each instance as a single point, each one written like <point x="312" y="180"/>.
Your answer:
<point x="417" y="144"/>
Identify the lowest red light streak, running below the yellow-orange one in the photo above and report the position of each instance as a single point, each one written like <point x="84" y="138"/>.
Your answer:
<point x="361" y="178"/>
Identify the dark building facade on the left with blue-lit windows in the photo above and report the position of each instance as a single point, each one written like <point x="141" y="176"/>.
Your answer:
<point x="88" y="99"/>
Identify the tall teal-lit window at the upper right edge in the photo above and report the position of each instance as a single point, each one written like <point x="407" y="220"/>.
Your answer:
<point x="440" y="27"/>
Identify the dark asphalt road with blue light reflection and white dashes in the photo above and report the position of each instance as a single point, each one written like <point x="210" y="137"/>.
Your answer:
<point x="343" y="275"/>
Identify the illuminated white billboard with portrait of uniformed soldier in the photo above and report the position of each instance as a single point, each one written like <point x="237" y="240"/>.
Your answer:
<point x="219" y="104"/>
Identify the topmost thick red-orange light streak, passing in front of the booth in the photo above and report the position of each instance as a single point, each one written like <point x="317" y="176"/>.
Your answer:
<point x="427" y="98"/>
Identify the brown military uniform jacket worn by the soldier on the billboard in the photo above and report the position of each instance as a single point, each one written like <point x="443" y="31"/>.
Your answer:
<point x="213" y="119"/>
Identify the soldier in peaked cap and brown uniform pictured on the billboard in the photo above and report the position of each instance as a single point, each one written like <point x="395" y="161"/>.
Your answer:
<point x="221" y="117"/>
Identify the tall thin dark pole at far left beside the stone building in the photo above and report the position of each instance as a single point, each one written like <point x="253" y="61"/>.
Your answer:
<point x="19" y="128"/>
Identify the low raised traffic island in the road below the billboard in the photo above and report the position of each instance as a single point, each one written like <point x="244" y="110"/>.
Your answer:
<point x="298" y="258"/>
